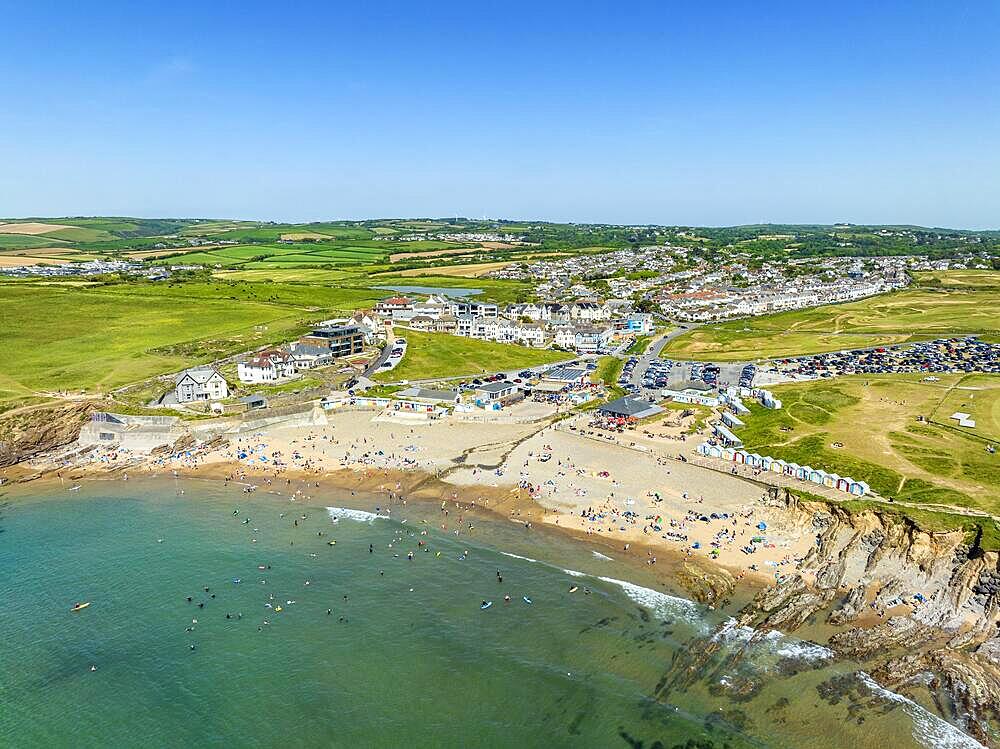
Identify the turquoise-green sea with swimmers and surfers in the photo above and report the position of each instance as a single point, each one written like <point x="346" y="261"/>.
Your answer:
<point x="406" y="657"/>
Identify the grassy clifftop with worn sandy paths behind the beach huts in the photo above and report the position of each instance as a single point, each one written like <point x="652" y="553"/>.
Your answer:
<point x="875" y="419"/>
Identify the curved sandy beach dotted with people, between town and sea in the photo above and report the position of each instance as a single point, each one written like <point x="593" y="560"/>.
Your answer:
<point x="635" y="498"/>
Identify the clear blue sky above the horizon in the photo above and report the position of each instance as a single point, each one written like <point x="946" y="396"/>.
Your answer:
<point x="687" y="112"/>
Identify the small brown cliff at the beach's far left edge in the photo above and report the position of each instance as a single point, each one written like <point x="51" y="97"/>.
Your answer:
<point x="25" y="434"/>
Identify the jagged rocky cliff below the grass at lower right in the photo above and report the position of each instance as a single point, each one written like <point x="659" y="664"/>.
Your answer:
<point x="925" y="606"/>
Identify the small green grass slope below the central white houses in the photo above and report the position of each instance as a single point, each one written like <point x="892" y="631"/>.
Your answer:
<point x="431" y="355"/>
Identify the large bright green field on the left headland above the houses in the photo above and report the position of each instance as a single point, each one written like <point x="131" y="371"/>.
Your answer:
<point x="101" y="337"/>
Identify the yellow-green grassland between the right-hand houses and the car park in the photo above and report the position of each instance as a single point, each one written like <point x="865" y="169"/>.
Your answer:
<point x="918" y="313"/>
